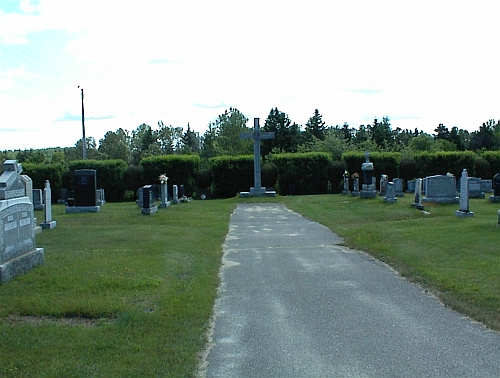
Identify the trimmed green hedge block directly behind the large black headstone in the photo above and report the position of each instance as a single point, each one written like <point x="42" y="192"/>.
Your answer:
<point x="109" y="176"/>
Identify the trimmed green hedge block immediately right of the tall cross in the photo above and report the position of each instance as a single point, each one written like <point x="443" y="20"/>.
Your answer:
<point x="302" y="173"/>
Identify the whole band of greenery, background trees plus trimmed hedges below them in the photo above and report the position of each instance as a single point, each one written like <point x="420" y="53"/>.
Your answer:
<point x="219" y="162"/>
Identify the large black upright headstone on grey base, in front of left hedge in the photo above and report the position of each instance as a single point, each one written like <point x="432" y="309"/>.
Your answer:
<point x="85" y="200"/>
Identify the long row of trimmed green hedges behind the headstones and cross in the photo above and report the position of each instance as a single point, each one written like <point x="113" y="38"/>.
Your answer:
<point x="225" y="176"/>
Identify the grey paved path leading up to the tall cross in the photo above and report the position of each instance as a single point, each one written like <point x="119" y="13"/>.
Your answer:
<point x="294" y="303"/>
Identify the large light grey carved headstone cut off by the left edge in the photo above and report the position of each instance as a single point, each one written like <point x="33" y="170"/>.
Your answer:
<point x="18" y="252"/>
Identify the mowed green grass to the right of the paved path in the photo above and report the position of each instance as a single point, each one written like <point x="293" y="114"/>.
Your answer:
<point x="457" y="259"/>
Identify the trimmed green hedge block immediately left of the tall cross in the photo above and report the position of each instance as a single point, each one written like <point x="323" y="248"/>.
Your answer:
<point x="231" y="175"/>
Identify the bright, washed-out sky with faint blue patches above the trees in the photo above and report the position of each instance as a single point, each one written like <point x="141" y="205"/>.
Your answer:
<point x="419" y="63"/>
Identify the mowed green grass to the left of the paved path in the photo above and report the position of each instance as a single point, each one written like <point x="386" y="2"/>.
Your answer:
<point x="121" y="294"/>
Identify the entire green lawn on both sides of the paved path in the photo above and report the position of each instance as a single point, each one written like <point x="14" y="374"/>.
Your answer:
<point x="126" y="295"/>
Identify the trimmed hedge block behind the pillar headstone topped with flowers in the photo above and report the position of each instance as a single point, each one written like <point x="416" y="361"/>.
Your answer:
<point x="180" y="170"/>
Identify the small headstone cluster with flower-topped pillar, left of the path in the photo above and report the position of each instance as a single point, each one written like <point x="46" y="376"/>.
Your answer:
<point x="149" y="194"/>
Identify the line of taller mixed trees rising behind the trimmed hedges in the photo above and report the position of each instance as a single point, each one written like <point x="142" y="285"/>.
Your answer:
<point x="222" y="138"/>
